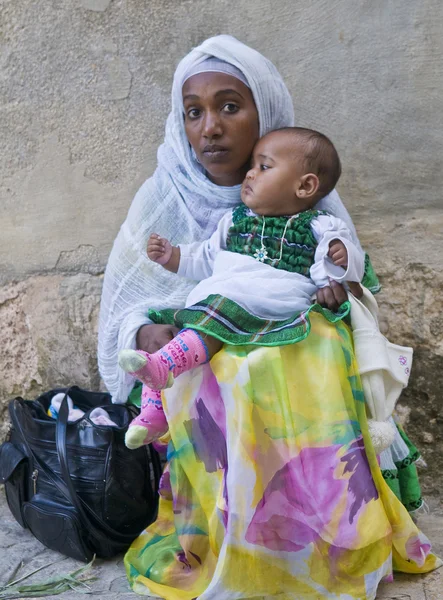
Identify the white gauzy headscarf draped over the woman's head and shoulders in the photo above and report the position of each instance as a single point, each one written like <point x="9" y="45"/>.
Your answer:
<point x="180" y="203"/>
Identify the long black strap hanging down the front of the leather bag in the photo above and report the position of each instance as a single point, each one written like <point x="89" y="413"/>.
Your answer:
<point x="80" y="505"/>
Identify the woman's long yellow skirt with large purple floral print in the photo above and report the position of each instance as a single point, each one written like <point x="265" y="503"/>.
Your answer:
<point x="273" y="489"/>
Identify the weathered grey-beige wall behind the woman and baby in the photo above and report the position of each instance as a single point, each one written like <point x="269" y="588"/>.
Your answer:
<point x="84" y="96"/>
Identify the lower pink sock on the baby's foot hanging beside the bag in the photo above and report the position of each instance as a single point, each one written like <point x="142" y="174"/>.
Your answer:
<point x="150" y="424"/>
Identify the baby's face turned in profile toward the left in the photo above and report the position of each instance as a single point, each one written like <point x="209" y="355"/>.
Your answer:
<point x="270" y="186"/>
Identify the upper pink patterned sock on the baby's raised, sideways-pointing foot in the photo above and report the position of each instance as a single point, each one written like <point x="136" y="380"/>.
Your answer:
<point x="186" y="351"/>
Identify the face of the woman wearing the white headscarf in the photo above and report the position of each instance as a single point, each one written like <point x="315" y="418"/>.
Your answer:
<point x="221" y="124"/>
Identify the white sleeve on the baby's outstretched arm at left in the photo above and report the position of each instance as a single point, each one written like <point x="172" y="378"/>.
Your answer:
<point x="197" y="259"/>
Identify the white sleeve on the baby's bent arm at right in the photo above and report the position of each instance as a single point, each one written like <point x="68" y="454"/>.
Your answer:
<point x="325" y="229"/>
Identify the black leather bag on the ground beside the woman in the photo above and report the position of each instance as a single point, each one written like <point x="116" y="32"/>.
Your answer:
<point x="76" y="486"/>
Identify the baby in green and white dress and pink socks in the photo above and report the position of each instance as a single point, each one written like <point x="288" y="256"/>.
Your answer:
<point x="257" y="272"/>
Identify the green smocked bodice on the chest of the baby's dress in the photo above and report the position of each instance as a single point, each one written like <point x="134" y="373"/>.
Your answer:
<point x="297" y="247"/>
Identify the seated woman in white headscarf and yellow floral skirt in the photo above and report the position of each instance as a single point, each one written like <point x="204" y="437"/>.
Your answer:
<point x="273" y="487"/>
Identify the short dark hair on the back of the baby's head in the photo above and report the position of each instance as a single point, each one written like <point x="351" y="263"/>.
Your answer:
<point x="321" y="157"/>
